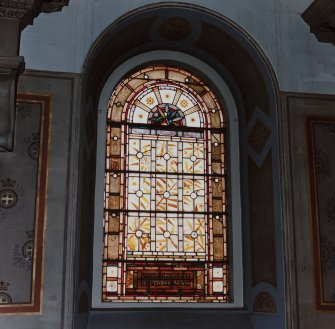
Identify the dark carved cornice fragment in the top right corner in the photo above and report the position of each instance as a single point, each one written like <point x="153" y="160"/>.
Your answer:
<point x="320" y="16"/>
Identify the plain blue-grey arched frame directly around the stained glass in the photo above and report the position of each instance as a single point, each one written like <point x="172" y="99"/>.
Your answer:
<point x="234" y="199"/>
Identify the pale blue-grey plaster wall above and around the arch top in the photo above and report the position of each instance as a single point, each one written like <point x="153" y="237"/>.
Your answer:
<point x="60" y="42"/>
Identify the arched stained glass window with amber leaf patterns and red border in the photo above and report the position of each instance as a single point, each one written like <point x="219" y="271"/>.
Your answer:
<point x="165" y="216"/>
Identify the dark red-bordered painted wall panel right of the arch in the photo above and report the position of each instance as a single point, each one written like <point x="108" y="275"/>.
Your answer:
<point x="321" y="141"/>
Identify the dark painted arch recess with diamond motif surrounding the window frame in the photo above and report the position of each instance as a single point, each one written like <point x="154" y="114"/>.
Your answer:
<point x="238" y="60"/>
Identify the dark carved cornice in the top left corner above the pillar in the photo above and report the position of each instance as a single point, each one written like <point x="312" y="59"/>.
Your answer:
<point x="26" y="10"/>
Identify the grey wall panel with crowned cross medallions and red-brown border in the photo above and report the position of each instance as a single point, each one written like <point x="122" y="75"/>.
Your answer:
<point x="23" y="183"/>
